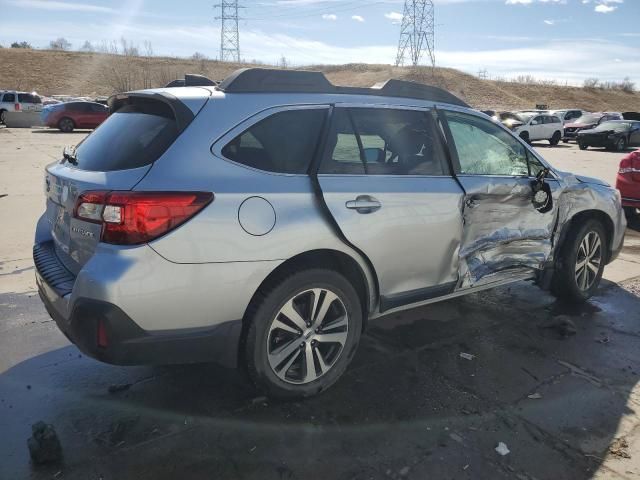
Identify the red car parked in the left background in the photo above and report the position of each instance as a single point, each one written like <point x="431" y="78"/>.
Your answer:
<point x="71" y="115"/>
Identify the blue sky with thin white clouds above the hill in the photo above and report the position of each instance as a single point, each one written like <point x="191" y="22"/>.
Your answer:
<point x="563" y="40"/>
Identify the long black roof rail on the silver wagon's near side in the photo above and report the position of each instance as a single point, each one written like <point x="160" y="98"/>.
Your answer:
<point x="264" y="80"/>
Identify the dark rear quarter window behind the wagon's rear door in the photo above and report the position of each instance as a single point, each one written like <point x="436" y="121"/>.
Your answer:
<point x="284" y="142"/>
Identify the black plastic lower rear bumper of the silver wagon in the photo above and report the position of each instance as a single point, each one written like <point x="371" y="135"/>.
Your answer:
<point x="128" y="343"/>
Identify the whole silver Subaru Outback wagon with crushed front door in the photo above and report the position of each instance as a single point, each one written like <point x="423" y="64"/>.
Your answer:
<point x="263" y="222"/>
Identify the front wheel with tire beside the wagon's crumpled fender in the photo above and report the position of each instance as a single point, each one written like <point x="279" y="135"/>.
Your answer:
<point x="580" y="262"/>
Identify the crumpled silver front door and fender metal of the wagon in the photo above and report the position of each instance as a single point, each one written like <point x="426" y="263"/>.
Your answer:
<point x="503" y="232"/>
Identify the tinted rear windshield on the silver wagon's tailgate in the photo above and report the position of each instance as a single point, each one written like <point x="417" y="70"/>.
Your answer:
<point x="134" y="136"/>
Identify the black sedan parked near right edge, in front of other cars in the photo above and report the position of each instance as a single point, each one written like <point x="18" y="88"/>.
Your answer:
<point x="612" y="135"/>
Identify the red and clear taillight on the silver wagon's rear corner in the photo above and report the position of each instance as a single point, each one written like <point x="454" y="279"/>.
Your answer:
<point x="130" y="218"/>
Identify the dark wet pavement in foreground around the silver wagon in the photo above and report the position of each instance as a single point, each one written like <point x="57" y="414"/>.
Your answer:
<point x="409" y="406"/>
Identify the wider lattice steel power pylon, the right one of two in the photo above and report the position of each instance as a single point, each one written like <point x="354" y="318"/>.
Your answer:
<point x="417" y="34"/>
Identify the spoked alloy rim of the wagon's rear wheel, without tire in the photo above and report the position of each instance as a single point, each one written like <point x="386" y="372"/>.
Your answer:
<point x="307" y="336"/>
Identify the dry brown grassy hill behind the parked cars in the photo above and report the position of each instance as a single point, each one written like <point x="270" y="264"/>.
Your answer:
<point x="76" y="73"/>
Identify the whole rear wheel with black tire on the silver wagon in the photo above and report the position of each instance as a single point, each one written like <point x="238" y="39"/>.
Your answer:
<point x="303" y="332"/>
